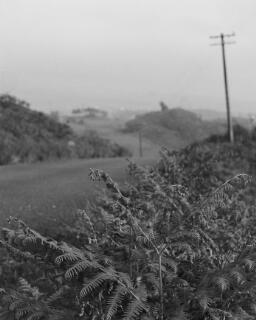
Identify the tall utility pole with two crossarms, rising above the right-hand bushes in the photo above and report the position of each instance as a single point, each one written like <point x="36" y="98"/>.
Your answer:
<point x="222" y="44"/>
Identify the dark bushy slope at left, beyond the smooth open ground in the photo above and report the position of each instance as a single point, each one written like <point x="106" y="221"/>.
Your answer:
<point x="30" y="136"/>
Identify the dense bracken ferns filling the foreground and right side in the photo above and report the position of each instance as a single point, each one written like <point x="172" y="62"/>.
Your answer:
<point x="177" y="243"/>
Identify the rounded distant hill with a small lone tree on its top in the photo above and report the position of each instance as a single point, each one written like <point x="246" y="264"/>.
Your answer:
<point x="173" y="128"/>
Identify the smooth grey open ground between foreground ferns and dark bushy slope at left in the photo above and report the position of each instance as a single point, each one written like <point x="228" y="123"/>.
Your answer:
<point x="44" y="194"/>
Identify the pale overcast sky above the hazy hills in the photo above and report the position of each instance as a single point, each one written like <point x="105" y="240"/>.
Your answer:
<point x="61" y="54"/>
